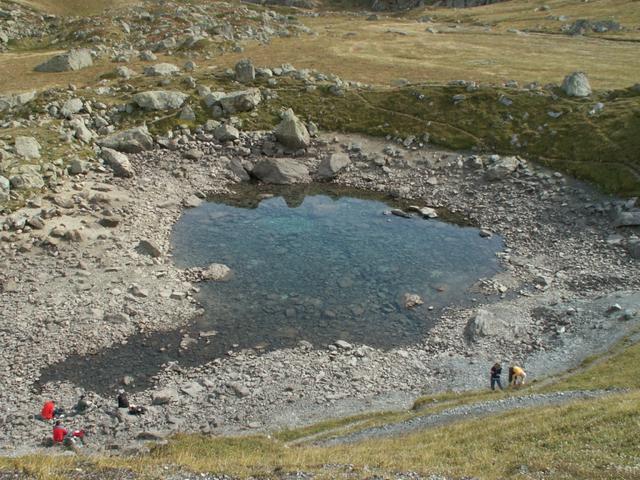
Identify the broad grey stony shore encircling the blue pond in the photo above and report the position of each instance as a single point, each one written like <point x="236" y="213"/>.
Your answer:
<point x="76" y="279"/>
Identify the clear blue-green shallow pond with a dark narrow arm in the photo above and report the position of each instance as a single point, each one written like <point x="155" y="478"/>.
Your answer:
<point x="312" y="267"/>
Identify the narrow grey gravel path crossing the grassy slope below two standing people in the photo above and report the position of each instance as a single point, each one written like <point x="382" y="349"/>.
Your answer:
<point x="464" y="412"/>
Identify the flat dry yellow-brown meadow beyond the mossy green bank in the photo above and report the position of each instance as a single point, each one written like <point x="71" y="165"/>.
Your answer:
<point x="365" y="51"/>
